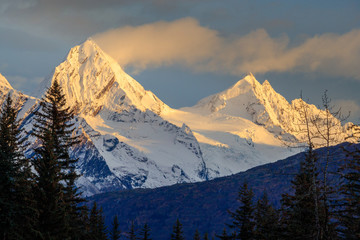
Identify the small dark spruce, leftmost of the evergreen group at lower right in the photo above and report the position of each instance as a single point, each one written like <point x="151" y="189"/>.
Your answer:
<point x="243" y="220"/>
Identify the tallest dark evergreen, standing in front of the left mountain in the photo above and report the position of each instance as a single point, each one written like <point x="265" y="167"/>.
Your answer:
<point x="57" y="195"/>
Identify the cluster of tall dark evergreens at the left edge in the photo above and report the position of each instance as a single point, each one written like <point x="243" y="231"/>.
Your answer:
<point x="38" y="196"/>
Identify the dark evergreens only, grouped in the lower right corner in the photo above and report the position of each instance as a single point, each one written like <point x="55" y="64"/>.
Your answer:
<point x="303" y="213"/>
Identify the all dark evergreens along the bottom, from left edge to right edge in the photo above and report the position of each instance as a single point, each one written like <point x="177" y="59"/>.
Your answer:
<point x="39" y="198"/>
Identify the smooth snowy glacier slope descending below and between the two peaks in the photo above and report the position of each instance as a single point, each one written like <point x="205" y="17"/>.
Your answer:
<point x="230" y="144"/>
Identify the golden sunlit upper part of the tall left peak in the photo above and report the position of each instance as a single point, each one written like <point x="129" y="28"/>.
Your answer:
<point x="93" y="81"/>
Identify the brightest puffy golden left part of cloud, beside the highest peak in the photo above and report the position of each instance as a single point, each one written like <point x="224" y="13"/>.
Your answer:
<point x="160" y="43"/>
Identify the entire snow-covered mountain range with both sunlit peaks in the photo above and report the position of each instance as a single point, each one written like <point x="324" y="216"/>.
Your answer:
<point x="131" y="139"/>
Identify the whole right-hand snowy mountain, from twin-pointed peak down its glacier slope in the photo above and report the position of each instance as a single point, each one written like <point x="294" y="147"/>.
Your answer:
<point x="247" y="125"/>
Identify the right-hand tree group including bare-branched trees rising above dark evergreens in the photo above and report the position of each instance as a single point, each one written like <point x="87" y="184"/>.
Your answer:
<point x="313" y="209"/>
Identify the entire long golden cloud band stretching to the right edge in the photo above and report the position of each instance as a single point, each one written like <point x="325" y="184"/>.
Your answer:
<point x="186" y="42"/>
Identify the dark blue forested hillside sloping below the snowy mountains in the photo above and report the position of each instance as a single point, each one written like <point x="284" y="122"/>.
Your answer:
<point x="204" y="206"/>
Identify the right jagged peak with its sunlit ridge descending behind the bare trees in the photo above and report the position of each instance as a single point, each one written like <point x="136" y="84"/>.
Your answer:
<point x="262" y="105"/>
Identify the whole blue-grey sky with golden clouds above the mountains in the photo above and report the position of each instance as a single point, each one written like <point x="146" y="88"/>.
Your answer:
<point x="185" y="50"/>
